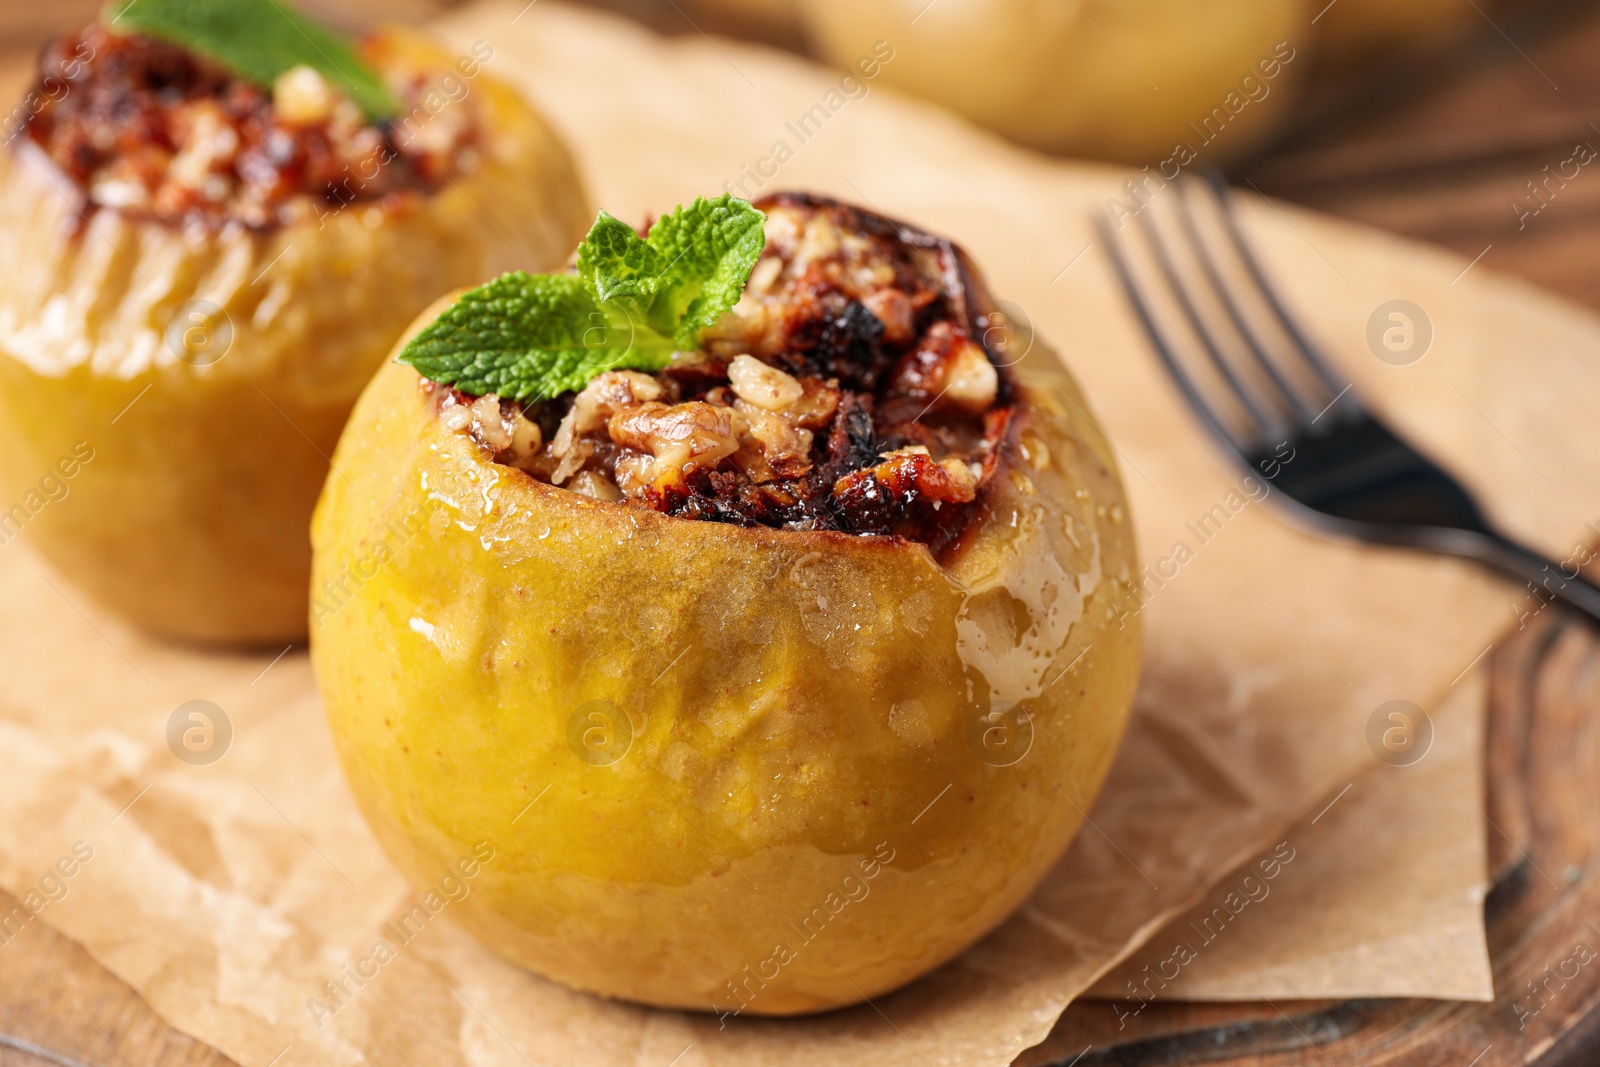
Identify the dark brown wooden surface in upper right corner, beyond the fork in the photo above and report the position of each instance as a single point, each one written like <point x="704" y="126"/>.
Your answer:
<point x="1442" y="148"/>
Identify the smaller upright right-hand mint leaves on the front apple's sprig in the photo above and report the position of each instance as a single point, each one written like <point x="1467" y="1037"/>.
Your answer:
<point x="687" y="274"/>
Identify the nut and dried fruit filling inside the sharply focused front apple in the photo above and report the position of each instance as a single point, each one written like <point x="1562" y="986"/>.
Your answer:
<point x="847" y="391"/>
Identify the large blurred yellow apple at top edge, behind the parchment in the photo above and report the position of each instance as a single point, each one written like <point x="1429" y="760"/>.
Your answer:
<point x="1124" y="81"/>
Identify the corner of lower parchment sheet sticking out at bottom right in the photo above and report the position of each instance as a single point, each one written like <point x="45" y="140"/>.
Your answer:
<point x="1383" y="897"/>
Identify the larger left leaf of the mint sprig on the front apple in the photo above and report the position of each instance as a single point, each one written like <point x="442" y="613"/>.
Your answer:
<point x="532" y="338"/>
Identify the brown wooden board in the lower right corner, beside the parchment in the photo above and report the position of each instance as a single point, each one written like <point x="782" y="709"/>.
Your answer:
<point x="1543" y="765"/>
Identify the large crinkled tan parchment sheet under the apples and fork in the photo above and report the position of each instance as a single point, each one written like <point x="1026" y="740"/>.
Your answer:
<point x="228" y="895"/>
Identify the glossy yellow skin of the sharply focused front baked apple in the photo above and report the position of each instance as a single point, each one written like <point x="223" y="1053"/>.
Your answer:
<point x="718" y="767"/>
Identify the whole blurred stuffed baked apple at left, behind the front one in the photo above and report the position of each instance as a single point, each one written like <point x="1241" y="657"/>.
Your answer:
<point x="207" y="268"/>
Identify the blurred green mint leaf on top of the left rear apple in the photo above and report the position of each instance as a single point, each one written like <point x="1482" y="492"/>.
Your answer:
<point x="257" y="41"/>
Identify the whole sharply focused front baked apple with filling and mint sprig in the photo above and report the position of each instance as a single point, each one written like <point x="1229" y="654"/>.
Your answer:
<point x="774" y="669"/>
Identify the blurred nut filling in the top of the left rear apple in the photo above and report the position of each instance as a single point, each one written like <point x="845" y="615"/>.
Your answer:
<point x="158" y="132"/>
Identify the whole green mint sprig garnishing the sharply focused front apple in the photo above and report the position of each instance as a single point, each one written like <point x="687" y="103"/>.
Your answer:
<point x="631" y="306"/>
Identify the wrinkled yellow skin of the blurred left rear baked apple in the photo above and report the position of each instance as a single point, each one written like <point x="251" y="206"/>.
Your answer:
<point x="193" y="516"/>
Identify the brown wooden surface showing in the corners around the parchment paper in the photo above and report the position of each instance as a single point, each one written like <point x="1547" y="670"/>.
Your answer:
<point x="1439" y="148"/>
